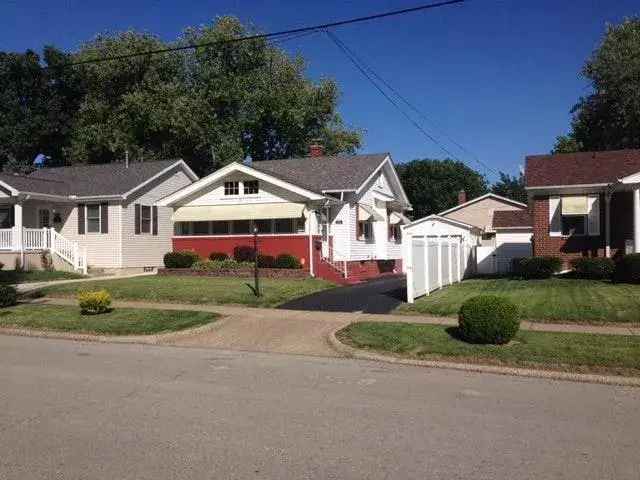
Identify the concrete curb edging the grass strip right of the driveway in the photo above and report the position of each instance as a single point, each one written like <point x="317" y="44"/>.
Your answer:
<point x="352" y="352"/>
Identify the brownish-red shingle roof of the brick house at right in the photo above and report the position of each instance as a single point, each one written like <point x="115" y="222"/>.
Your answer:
<point x="583" y="168"/>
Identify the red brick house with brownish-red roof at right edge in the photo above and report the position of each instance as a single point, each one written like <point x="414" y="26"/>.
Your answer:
<point x="585" y="204"/>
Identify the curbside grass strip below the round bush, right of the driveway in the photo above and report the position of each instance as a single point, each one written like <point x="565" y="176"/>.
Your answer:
<point x="576" y="352"/>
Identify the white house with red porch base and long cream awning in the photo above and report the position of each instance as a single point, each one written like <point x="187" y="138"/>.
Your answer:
<point x="340" y="215"/>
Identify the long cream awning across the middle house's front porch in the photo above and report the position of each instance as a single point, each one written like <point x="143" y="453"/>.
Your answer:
<point x="256" y="211"/>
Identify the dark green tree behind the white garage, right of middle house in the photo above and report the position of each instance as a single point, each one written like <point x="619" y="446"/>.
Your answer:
<point x="433" y="185"/>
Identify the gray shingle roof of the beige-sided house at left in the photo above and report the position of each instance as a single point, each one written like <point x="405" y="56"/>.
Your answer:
<point x="87" y="180"/>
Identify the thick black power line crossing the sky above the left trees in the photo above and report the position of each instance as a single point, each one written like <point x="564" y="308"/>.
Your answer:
<point x="266" y="35"/>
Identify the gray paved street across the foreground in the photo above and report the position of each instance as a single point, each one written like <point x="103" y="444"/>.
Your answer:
<point x="73" y="410"/>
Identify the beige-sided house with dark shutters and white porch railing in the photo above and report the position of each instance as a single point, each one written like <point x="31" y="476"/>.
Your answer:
<point x="90" y="216"/>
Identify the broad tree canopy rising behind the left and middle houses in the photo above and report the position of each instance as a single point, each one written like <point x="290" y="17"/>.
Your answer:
<point x="209" y="106"/>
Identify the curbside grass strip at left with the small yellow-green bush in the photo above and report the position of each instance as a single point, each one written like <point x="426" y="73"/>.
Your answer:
<point x="120" y="321"/>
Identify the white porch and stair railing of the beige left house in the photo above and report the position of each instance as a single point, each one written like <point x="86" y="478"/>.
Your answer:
<point x="37" y="239"/>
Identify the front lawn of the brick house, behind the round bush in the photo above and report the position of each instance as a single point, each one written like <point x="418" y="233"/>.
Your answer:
<point x="553" y="300"/>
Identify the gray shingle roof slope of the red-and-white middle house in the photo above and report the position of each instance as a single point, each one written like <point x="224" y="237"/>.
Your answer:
<point x="346" y="172"/>
